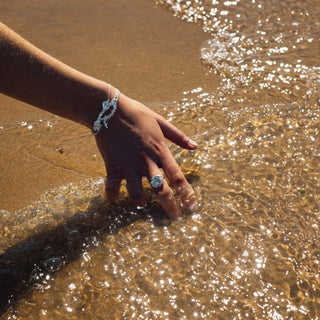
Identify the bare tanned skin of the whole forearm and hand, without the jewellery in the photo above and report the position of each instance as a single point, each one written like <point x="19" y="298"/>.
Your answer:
<point x="133" y="146"/>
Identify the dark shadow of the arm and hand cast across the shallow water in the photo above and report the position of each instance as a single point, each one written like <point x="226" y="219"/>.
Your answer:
<point x="22" y="265"/>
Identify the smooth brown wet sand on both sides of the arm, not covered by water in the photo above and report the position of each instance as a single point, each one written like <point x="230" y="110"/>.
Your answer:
<point x="137" y="46"/>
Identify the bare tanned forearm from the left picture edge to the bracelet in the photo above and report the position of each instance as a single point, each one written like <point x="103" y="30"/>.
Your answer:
<point x="34" y="77"/>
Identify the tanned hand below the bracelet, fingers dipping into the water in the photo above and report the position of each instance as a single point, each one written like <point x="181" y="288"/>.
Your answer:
<point x="134" y="146"/>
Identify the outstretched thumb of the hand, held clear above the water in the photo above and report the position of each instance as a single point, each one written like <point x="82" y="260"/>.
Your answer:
<point x="175" y="135"/>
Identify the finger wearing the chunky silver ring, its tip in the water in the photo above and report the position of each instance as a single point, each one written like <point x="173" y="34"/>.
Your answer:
<point x="164" y="194"/>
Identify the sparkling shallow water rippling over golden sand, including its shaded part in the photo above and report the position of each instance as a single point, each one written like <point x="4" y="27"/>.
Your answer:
<point x="253" y="249"/>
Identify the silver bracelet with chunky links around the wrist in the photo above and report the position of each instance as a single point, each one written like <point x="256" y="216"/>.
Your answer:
<point x="108" y="110"/>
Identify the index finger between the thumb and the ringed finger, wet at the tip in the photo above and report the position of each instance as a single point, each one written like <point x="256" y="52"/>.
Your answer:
<point x="178" y="181"/>
